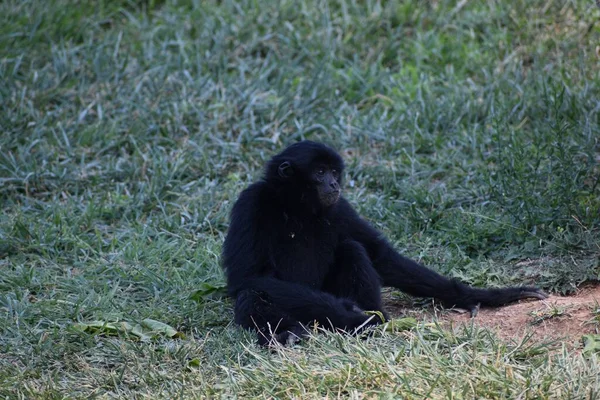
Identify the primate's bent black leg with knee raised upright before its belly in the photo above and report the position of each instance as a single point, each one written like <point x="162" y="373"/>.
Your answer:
<point x="353" y="277"/>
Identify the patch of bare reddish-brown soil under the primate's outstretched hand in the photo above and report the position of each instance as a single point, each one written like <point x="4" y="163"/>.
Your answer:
<point x="563" y="319"/>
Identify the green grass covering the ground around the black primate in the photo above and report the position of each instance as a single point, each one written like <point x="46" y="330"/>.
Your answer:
<point x="471" y="133"/>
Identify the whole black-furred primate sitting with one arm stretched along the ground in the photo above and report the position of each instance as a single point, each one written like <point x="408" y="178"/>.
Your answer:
<point x="297" y="253"/>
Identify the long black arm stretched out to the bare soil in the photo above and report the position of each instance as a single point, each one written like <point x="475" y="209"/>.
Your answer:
<point x="417" y="280"/>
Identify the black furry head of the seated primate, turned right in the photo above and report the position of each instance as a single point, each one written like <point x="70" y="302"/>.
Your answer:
<point x="309" y="168"/>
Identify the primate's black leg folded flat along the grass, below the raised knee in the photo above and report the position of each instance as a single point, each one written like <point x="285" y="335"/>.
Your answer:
<point x="271" y="300"/>
